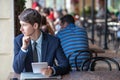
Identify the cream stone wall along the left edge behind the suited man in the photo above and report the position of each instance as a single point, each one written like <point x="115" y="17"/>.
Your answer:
<point x="6" y="37"/>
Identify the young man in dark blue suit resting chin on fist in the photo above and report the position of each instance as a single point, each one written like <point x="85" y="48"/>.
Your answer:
<point x="48" y="47"/>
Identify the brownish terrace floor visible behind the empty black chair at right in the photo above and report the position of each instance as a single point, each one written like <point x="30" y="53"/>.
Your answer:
<point x="110" y="52"/>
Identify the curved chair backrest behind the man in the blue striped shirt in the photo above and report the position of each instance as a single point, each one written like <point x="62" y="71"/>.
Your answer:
<point x="77" y="58"/>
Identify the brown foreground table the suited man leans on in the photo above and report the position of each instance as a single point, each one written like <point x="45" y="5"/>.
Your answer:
<point x="87" y="75"/>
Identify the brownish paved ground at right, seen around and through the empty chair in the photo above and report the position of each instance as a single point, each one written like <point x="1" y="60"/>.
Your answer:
<point x="100" y="65"/>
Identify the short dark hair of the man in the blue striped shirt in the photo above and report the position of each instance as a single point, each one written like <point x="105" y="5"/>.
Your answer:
<point x="67" y="18"/>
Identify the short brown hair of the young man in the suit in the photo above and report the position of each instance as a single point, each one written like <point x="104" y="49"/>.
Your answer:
<point x="30" y="16"/>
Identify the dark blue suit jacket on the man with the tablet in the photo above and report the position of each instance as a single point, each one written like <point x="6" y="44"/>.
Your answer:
<point x="51" y="50"/>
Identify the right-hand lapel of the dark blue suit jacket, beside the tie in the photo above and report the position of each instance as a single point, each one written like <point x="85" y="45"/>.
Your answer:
<point x="44" y="47"/>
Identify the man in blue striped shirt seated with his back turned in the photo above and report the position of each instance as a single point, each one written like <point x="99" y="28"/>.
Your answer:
<point x="72" y="39"/>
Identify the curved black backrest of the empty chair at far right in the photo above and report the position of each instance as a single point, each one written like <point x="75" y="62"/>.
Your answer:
<point x="93" y="61"/>
